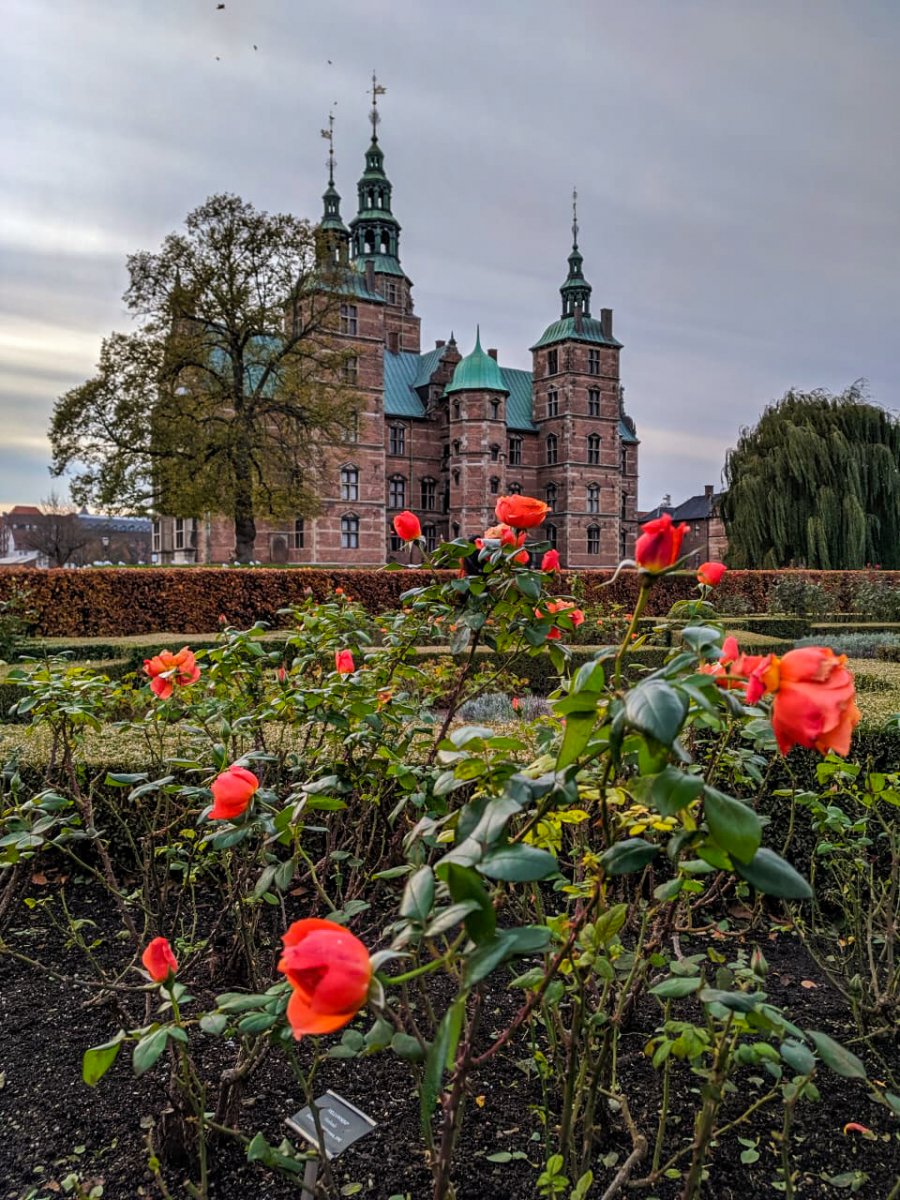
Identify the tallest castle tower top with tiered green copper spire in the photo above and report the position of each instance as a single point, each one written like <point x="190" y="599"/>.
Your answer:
<point x="375" y="244"/>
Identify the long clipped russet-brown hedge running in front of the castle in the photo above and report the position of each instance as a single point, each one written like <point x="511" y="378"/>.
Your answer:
<point x="194" y="601"/>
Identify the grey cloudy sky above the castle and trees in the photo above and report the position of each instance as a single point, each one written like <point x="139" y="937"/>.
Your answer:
<point x="739" y="167"/>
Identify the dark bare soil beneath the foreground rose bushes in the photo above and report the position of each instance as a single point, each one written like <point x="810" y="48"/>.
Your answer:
<point x="55" y="1127"/>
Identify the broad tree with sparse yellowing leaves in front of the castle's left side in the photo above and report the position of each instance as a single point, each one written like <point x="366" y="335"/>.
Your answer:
<point x="233" y="394"/>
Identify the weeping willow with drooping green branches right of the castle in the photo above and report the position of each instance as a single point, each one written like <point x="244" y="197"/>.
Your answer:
<point x="815" y="484"/>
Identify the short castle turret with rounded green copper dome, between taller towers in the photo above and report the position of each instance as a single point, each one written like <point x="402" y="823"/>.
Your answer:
<point x="477" y="398"/>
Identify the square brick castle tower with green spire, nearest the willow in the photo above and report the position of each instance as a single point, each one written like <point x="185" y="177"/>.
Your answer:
<point x="587" y="453"/>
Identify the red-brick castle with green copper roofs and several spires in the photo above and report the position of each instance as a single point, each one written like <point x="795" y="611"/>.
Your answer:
<point x="445" y="435"/>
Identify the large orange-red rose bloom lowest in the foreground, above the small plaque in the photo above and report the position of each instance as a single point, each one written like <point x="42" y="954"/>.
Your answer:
<point x="329" y="971"/>
